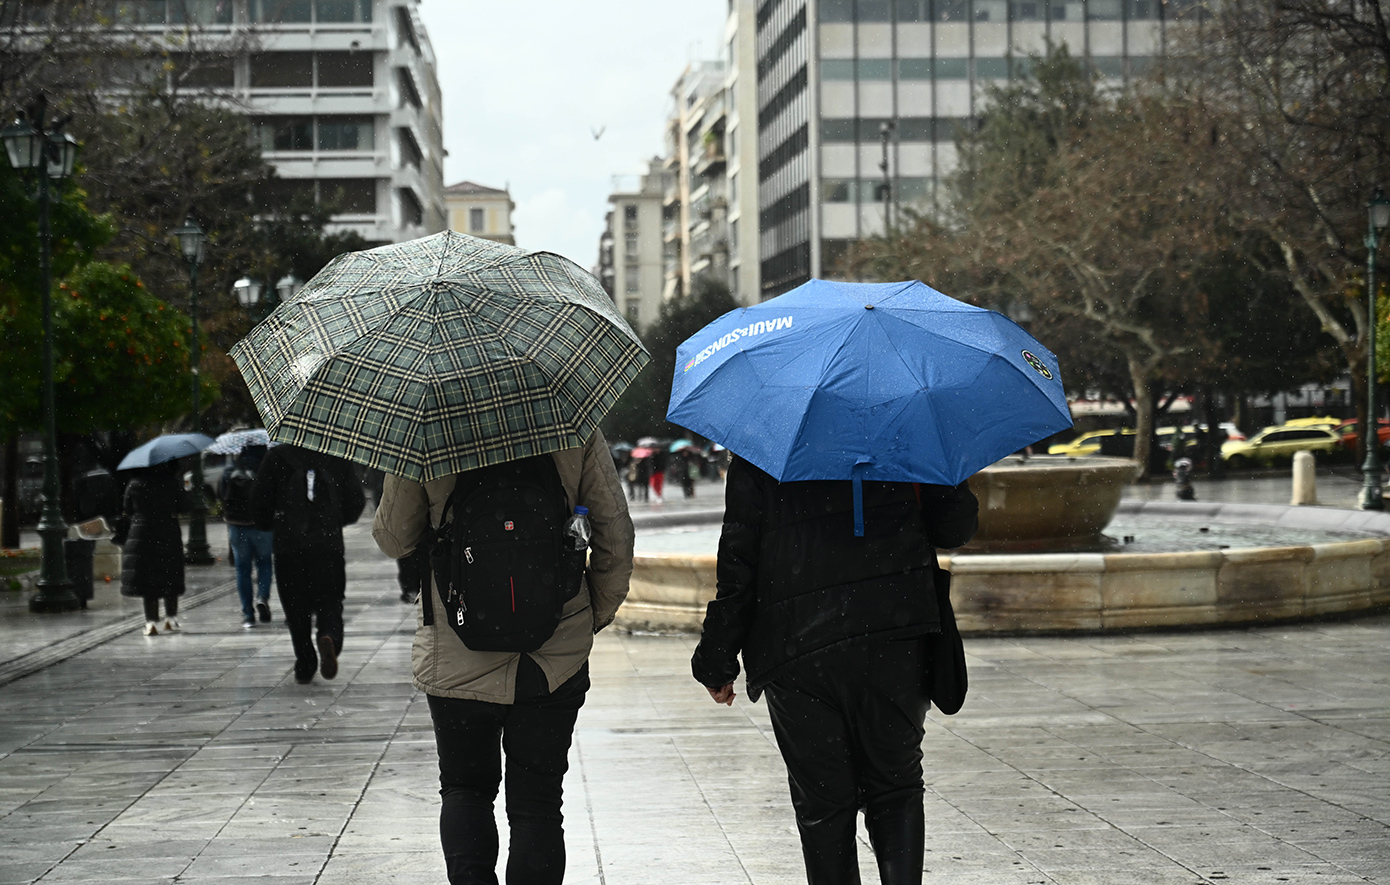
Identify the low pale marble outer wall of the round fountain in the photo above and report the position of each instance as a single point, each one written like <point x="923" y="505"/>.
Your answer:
<point x="1060" y="593"/>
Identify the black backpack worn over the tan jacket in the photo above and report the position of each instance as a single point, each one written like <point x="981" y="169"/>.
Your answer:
<point x="501" y="565"/>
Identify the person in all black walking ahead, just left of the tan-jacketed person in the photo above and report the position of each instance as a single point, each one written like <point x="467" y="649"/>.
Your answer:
<point x="305" y="498"/>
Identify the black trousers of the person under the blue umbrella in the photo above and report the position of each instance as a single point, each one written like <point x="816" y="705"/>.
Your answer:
<point x="850" y="726"/>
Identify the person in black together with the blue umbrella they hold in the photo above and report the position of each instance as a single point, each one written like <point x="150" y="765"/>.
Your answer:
<point x="856" y="415"/>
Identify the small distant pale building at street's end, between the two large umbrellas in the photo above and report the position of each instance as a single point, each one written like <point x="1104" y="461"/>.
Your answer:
<point x="632" y="249"/>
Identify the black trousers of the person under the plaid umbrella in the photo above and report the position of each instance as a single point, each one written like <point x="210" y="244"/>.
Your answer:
<point x="534" y="734"/>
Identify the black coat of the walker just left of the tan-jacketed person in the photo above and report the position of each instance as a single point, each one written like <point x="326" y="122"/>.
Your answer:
<point x="309" y="541"/>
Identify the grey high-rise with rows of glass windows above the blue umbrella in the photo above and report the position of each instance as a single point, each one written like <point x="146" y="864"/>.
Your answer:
<point x="858" y="104"/>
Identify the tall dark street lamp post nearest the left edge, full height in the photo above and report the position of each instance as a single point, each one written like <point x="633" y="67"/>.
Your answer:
<point x="51" y="154"/>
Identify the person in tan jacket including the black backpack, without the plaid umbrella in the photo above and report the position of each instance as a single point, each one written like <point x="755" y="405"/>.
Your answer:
<point x="504" y="638"/>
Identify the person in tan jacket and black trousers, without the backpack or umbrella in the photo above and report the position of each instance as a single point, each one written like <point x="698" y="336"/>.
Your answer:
<point x="489" y="705"/>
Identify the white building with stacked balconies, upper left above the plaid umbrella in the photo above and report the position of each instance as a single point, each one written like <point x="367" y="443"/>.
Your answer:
<point x="343" y="97"/>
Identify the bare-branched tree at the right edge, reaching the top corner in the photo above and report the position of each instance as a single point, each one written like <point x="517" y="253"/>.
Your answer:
<point x="1296" y="98"/>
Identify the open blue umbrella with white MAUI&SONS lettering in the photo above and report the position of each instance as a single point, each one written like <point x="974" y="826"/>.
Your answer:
<point x="894" y="383"/>
